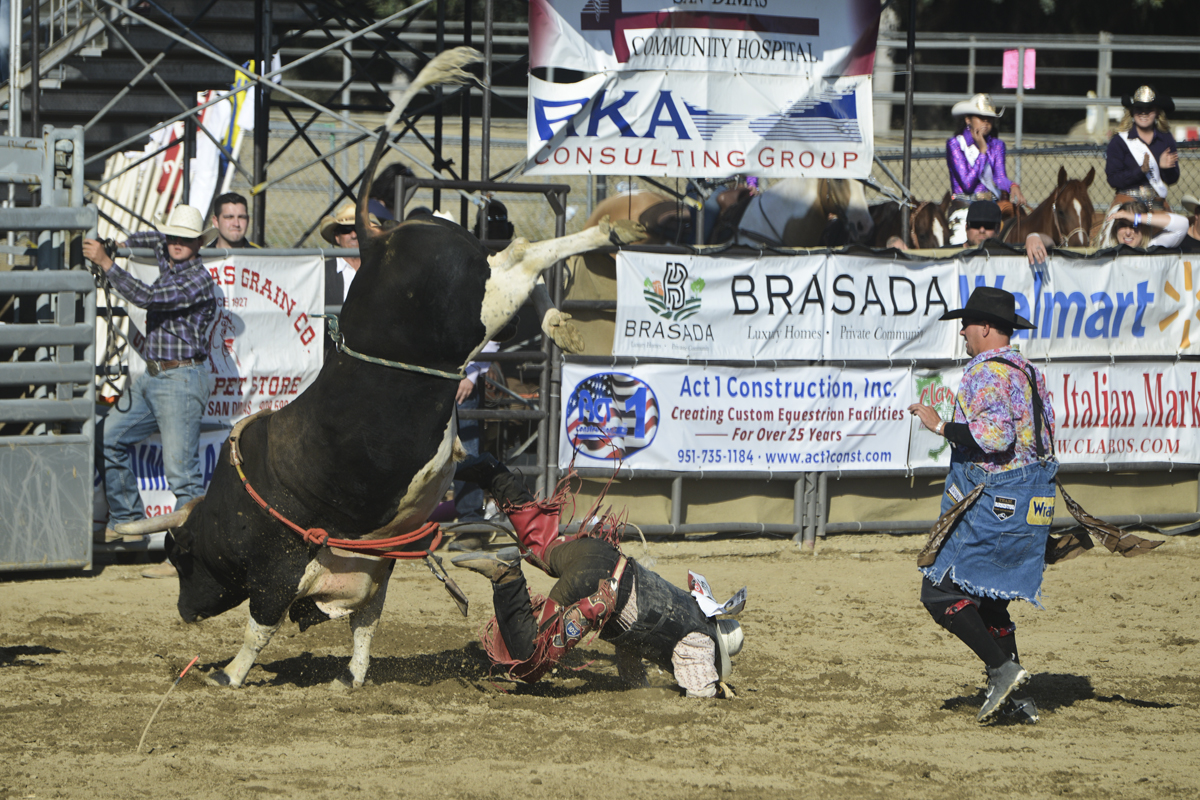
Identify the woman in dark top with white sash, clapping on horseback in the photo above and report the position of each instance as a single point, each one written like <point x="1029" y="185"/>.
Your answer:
<point x="1142" y="160"/>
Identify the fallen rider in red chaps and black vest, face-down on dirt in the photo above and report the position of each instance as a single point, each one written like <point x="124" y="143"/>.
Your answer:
<point x="598" y="590"/>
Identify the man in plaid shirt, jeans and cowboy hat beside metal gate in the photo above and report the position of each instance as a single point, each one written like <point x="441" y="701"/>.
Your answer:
<point x="170" y="398"/>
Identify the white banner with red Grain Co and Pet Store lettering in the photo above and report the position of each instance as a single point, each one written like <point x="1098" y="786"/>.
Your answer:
<point x="265" y="350"/>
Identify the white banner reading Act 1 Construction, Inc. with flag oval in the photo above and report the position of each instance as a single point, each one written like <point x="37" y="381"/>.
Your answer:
<point x="670" y="417"/>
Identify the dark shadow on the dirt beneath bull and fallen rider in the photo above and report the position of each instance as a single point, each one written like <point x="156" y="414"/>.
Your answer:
<point x="467" y="665"/>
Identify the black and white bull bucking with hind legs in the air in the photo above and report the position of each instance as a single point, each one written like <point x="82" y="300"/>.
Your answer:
<point x="368" y="452"/>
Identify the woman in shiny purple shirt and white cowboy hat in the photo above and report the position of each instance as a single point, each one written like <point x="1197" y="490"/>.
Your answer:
<point x="976" y="160"/>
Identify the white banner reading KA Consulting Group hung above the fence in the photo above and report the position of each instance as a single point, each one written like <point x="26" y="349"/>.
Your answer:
<point x="691" y="124"/>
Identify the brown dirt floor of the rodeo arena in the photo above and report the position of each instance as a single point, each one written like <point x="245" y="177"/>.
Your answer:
<point x="848" y="690"/>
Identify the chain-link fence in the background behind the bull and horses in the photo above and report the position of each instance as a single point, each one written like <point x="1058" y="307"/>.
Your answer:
<point x="297" y="203"/>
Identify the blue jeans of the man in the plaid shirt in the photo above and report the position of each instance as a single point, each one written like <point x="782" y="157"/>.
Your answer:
<point x="172" y="405"/>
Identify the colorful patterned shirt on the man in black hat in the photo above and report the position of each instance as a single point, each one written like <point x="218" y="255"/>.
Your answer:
<point x="997" y="402"/>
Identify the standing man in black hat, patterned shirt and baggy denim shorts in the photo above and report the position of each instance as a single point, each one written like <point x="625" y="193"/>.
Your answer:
<point x="1003" y="482"/>
